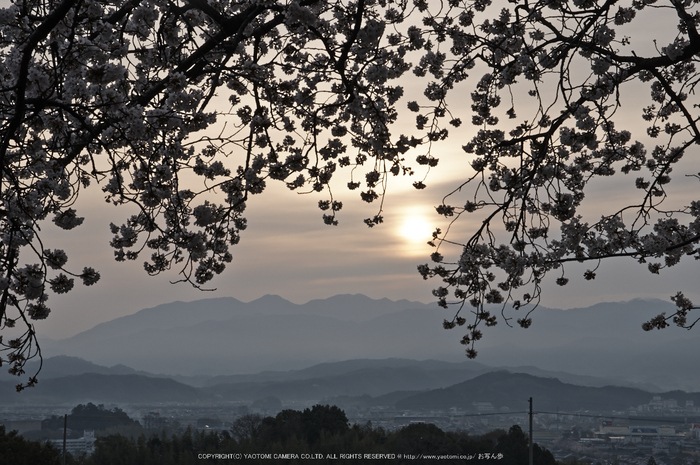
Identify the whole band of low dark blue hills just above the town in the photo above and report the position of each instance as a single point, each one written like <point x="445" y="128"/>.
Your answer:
<point x="406" y="385"/>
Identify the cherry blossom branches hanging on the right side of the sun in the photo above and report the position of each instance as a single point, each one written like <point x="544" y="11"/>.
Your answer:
<point x="549" y="79"/>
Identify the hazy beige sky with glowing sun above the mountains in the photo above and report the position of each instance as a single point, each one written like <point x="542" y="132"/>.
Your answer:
<point x="288" y="251"/>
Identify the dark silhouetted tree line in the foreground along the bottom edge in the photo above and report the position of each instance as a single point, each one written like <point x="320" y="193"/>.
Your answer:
<point x="321" y="431"/>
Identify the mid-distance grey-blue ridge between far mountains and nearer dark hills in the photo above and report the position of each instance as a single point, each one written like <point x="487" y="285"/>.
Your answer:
<point x="347" y="378"/>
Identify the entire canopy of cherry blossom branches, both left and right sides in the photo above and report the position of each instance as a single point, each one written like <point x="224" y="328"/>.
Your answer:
<point x="183" y="109"/>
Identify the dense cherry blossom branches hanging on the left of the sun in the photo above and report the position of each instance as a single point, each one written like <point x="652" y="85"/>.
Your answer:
<point x="182" y="109"/>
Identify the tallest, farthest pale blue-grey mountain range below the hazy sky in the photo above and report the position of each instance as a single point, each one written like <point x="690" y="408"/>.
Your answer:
<point x="225" y="336"/>
